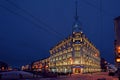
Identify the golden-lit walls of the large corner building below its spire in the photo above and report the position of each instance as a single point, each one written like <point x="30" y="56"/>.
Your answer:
<point x="75" y="54"/>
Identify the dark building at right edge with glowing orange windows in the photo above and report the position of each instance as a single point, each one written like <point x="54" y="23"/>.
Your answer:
<point x="117" y="41"/>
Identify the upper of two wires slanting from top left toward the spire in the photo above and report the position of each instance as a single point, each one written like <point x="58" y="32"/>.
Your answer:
<point x="38" y="20"/>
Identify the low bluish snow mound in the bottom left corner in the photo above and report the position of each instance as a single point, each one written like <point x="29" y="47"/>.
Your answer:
<point x="15" y="75"/>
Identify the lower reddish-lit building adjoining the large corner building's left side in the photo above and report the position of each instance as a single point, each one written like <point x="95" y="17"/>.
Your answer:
<point x="41" y="65"/>
